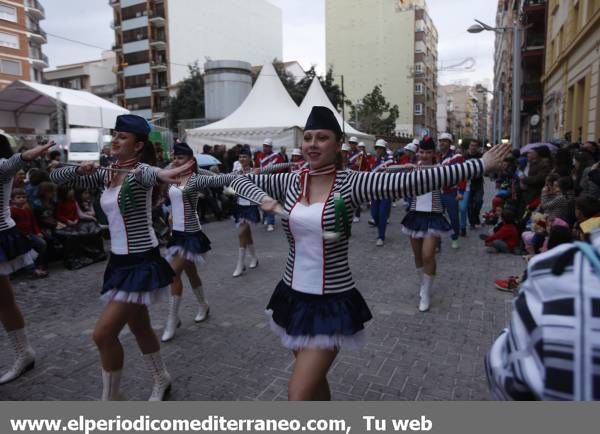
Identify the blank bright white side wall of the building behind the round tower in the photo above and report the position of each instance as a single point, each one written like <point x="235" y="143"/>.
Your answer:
<point x="249" y="31"/>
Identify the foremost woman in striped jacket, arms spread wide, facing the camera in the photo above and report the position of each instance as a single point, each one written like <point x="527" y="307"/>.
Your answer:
<point x="316" y="309"/>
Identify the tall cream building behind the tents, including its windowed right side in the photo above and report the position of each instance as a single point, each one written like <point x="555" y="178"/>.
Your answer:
<point x="392" y="43"/>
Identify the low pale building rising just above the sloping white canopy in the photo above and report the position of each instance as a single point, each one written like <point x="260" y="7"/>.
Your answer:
<point x="96" y="76"/>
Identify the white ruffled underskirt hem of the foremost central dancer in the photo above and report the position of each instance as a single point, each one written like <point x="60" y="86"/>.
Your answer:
<point x="354" y="342"/>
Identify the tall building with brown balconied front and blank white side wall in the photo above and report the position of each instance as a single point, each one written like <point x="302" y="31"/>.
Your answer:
<point x="156" y="40"/>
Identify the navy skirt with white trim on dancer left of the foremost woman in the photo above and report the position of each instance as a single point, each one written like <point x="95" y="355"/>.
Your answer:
<point x="139" y="278"/>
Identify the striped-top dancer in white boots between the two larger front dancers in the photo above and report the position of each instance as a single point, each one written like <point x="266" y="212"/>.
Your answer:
<point x="188" y="243"/>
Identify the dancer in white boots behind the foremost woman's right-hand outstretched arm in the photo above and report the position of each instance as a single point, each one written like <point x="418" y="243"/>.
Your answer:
<point x="425" y="224"/>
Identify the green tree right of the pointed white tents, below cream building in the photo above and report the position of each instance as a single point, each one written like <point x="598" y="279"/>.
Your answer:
<point x="375" y="114"/>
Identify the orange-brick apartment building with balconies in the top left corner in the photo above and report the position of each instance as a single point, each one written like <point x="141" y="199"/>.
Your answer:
<point x="21" y="40"/>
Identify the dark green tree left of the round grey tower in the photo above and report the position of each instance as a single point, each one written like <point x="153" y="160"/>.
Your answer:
<point x="188" y="103"/>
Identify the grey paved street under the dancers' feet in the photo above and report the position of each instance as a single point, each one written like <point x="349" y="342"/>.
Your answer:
<point x="234" y="356"/>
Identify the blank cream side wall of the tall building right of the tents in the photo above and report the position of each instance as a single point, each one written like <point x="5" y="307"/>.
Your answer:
<point x="372" y="42"/>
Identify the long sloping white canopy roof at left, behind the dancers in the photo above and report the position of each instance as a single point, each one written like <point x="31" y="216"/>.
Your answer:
<point x="24" y="104"/>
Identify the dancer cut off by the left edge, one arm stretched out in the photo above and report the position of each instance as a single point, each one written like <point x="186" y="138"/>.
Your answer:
<point x="16" y="252"/>
